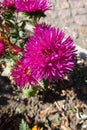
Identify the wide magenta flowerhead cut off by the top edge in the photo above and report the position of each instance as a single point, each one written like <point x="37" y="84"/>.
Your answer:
<point x="32" y="5"/>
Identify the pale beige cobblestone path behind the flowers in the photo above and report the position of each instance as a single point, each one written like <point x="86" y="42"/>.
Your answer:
<point x="71" y="16"/>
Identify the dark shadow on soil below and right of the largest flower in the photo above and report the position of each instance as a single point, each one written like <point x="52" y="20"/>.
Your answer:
<point x="77" y="80"/>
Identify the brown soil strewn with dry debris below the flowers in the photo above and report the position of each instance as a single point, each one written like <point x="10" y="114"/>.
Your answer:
<point x="63" y="106"/>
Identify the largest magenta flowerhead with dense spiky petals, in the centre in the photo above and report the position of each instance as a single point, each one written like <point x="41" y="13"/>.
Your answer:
<point x="50" y="55"/>
